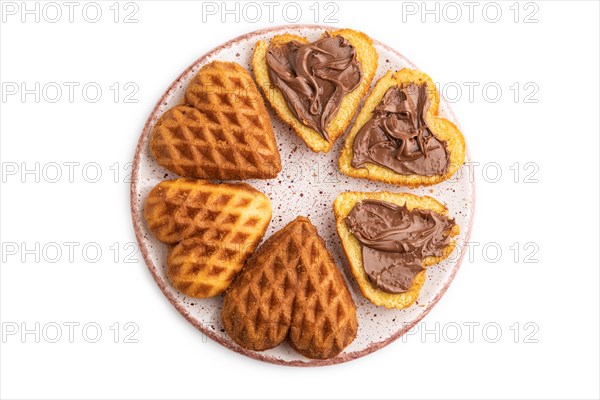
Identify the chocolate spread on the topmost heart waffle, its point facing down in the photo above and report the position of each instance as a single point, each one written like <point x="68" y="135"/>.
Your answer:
<point x="314" y="77"/>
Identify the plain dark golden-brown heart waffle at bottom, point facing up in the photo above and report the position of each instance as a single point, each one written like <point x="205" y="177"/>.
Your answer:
<point x="292" y="288"/>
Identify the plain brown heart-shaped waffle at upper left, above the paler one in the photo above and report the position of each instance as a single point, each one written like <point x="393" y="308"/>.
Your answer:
<point x="224" y="131"/>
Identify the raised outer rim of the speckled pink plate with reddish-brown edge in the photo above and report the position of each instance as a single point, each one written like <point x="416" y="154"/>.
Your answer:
<point x="138" y="221"/>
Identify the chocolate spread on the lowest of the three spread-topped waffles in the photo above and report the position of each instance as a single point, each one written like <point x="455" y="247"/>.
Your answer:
<point x="395" y="241"/>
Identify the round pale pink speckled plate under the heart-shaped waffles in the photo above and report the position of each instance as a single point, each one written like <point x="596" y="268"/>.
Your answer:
<point x="307" y="185"/>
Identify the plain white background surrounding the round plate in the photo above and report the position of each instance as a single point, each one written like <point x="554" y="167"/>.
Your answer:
<point x="558" y="54"/>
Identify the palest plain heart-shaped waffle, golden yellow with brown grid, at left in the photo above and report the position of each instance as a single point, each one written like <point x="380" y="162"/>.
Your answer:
<point x="216" y="227"/>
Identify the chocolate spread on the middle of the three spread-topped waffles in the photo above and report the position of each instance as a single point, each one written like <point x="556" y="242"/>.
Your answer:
<point x="397" y="136"/>
